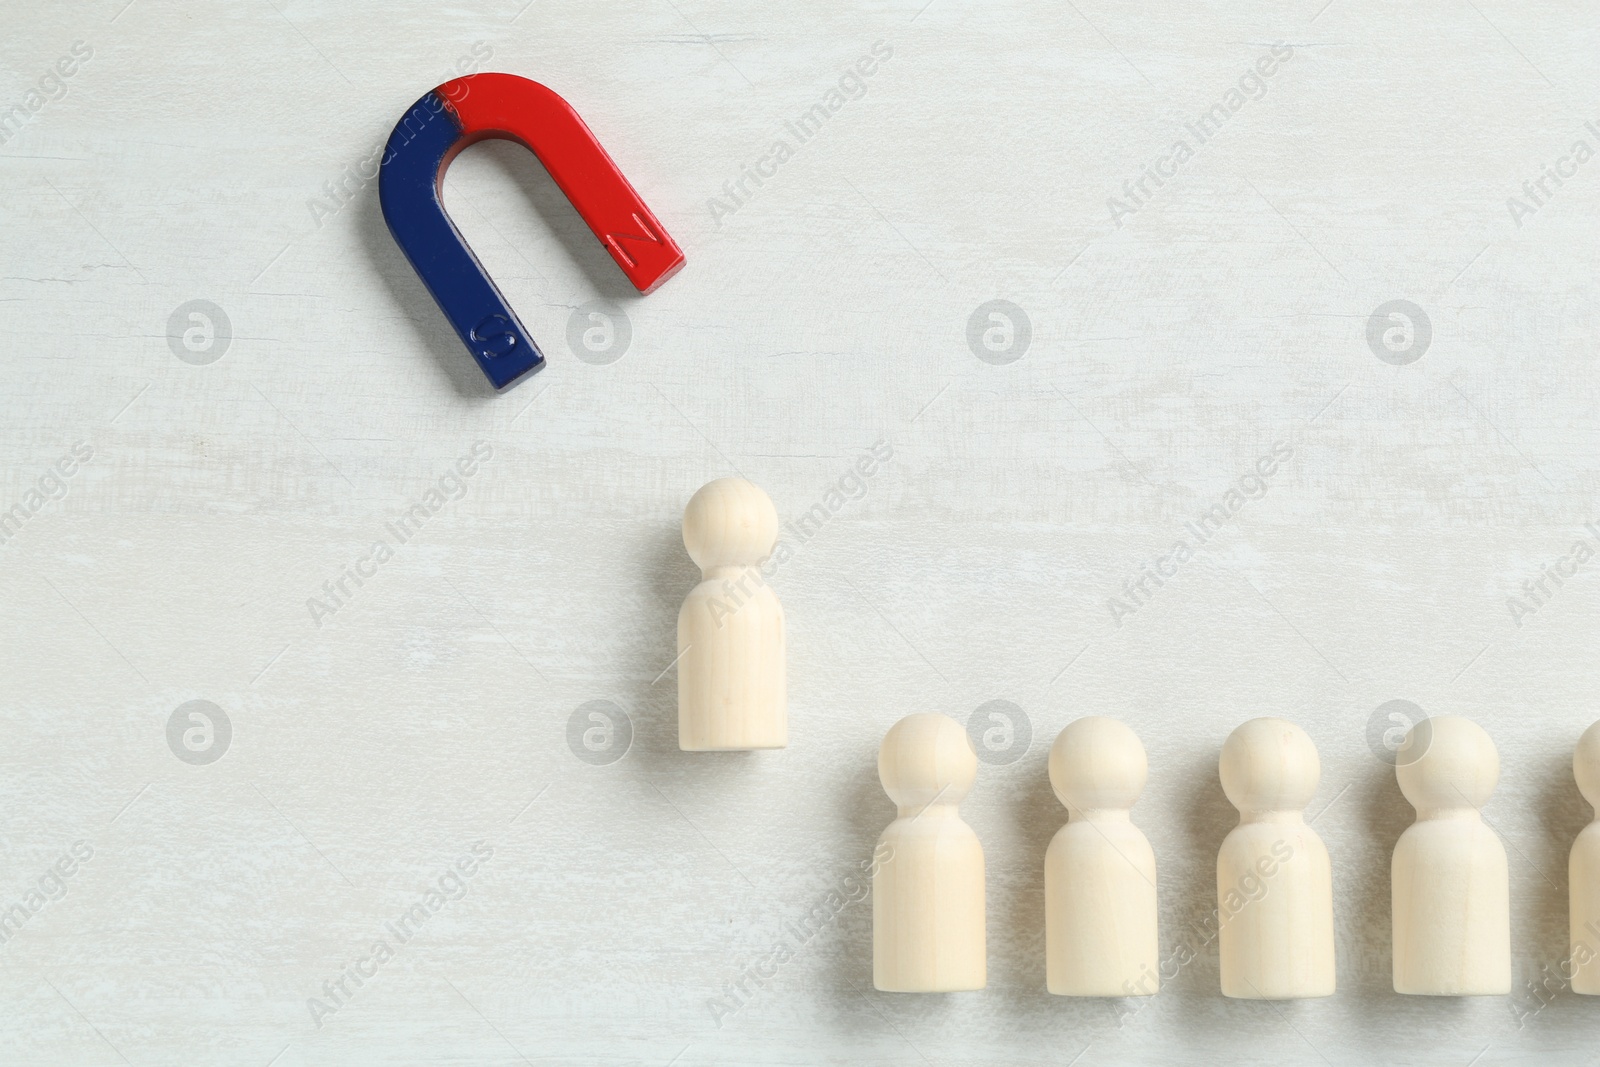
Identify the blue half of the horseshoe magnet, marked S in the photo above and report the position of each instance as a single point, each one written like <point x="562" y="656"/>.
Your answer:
<point x="410" y="190"/>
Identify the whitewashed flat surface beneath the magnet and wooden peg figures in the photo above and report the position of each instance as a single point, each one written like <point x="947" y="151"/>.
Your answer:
<point x="826" y="314"/>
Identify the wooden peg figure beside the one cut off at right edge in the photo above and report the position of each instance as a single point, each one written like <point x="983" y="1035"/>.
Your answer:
<point x="1452" y="898"/>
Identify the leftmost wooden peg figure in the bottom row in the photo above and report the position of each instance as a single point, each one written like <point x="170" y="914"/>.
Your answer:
<point x="929" y="887"/>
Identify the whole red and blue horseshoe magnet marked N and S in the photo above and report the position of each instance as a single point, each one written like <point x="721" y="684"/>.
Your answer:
<point x="476" y="108"/>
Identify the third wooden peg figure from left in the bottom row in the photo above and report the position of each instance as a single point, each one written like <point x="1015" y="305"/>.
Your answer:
<point x="1273" y="876"/>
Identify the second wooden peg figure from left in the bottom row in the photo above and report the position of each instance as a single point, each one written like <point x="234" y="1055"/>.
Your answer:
<point x="1100" y="869"/>
